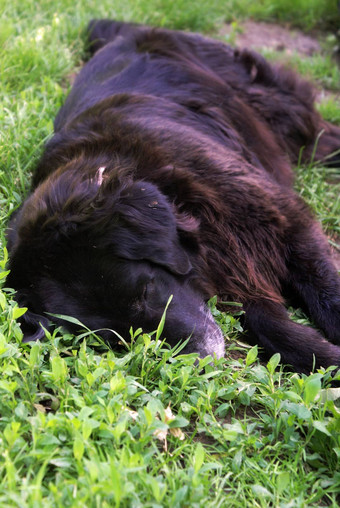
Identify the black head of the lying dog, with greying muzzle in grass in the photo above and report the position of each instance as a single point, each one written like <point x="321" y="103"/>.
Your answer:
<point x="109" y="252"/>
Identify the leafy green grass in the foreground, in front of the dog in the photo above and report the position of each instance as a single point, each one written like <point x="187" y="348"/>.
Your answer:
<point x="84" y="426"/>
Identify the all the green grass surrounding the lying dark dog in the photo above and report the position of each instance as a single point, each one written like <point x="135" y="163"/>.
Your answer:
<point x="82" y="425"/>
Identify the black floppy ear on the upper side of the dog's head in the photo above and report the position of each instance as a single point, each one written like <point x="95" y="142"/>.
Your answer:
<point x="147" y="229"/>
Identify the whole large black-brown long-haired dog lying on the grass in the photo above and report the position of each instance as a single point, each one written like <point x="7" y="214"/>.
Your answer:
<point x="169" y="173"/>
